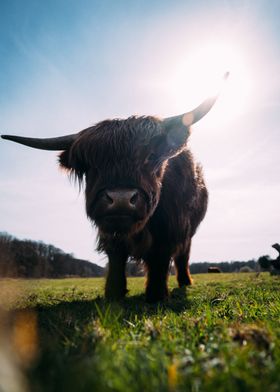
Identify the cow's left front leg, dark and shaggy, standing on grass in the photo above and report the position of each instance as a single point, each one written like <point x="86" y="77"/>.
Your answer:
<point x="115" y="287"/>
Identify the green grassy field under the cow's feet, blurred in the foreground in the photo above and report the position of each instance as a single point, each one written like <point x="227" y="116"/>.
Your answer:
<point x="222" y="334"/>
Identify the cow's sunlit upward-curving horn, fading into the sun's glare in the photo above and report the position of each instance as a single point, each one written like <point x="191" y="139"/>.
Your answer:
<point x="189" y="118"/>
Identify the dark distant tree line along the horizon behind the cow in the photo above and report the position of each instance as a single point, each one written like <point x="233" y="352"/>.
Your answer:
<point x="35" y="259"/>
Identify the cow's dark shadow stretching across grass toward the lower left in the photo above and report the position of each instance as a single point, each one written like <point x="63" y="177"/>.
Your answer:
<point x="73" y="338"/>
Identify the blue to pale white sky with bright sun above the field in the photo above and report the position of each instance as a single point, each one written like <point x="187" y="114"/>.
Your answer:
<point x="68" y="64"/>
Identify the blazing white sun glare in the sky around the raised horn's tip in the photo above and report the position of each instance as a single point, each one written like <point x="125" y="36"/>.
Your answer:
<point x="200" y="74"/>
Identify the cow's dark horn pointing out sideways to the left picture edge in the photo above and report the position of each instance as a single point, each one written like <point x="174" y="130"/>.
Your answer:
<point x="54" y="143"/>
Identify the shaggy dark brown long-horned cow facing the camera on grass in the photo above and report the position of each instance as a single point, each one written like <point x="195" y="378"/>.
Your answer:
<point x="143" y="191"/>
